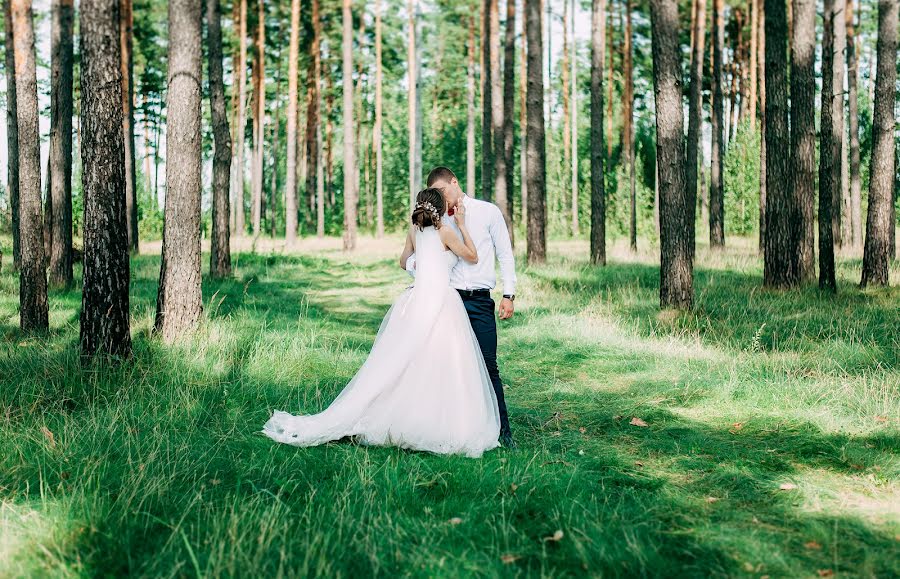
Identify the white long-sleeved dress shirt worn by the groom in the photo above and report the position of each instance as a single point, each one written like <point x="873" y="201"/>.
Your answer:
<point x="491" y="238"/>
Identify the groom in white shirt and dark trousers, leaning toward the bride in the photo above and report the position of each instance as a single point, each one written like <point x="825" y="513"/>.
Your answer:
<point x="474" y="282"/>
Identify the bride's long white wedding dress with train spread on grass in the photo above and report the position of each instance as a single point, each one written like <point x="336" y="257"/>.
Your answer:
<point x="424" y="385"/>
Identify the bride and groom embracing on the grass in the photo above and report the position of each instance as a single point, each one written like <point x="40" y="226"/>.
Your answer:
<point x="431" y="381"/>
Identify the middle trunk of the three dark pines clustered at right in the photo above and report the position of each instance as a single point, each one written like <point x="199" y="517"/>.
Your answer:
<point x="803" y="128"/>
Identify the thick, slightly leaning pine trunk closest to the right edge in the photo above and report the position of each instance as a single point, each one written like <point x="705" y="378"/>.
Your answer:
<point x="877" y="249"/>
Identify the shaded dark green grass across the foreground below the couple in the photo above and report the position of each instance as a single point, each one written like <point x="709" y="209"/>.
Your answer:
<point x="677" y="497"/>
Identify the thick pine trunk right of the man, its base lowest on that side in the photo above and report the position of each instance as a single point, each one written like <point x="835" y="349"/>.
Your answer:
<point x="676" y="286"/>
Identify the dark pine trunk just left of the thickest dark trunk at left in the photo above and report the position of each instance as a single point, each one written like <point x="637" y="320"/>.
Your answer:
<point x="60" y="159"/>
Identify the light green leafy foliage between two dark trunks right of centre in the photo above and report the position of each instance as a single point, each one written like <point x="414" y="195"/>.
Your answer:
<point x="742" y="182"/>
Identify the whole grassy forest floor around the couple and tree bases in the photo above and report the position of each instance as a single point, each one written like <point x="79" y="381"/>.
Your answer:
<point x="755" y="436"/>
